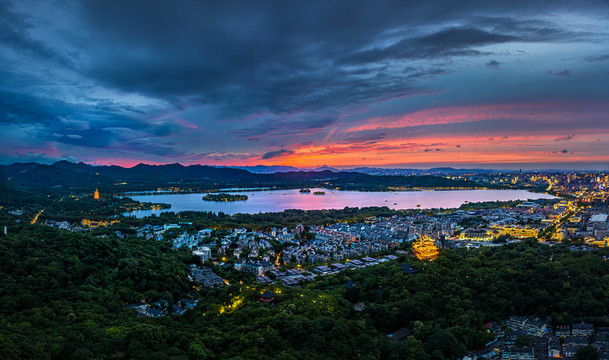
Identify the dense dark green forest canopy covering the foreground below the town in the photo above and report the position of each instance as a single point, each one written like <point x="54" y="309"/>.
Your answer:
<point x="63" y="295"/>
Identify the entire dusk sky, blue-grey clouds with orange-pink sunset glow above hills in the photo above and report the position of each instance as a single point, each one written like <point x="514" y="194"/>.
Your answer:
<point x="514" y="84"/>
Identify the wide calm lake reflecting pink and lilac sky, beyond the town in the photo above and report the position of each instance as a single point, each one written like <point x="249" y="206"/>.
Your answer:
<point x="280" y="200"/>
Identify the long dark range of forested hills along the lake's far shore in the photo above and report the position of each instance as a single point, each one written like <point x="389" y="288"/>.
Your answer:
<point x="144" y="177"/>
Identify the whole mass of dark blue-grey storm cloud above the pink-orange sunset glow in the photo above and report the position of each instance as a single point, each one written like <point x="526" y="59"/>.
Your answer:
<point x="121" y="74"/>
